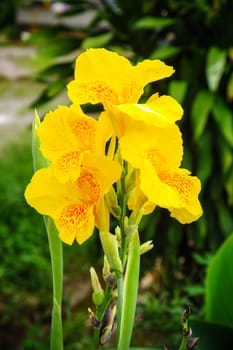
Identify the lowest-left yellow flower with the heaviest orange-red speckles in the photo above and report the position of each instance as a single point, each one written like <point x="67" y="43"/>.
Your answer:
<point x="74" y="205"/>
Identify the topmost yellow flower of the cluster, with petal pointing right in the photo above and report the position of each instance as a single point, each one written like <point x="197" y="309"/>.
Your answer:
<point x="105" y="77"/>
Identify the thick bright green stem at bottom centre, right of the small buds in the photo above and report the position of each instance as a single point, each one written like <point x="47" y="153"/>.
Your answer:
<point x="130" y="291"/>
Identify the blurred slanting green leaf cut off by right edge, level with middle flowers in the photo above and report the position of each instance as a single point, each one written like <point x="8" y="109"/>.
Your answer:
<point x="224" y="118"/>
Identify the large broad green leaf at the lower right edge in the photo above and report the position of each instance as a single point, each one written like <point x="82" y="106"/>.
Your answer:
<point x="219" y="286"/>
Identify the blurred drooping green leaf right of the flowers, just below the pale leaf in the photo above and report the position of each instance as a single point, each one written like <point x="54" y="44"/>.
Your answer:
<point x="200" y="111"/>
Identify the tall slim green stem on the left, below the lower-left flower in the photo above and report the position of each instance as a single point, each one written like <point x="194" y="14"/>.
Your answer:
<point x="55" y="247"/>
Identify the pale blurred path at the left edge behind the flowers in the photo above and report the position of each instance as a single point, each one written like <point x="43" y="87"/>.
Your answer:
<point x="18" y="90"/>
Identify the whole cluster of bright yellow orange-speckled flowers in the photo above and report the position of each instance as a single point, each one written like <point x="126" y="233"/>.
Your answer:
<point x="87" y="156"/>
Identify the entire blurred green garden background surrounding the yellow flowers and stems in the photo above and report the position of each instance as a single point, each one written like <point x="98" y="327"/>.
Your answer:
<point x="196" y="38"/>
